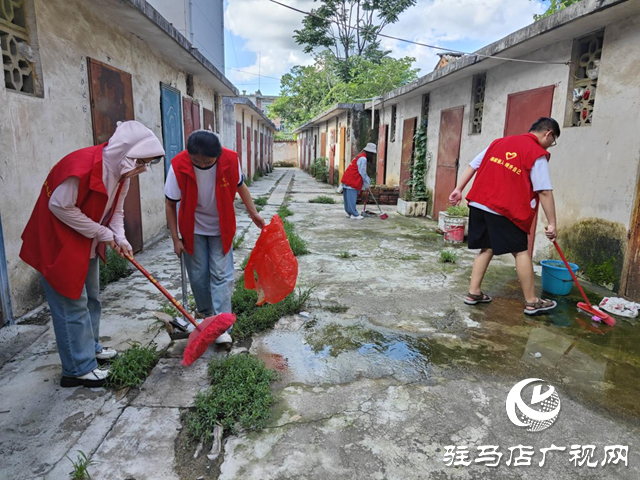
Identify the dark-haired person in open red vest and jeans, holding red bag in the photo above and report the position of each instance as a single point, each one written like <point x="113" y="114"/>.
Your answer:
<point x="204" y="178"/>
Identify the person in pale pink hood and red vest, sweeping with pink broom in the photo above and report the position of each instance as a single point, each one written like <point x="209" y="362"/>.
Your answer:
<point x="80" y="211"/>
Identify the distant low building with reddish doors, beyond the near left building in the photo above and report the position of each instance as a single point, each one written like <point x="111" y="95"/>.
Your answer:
<point x="249" y="132"/>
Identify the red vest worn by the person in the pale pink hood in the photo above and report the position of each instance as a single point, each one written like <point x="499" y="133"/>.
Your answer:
<point x="50" y="246"/>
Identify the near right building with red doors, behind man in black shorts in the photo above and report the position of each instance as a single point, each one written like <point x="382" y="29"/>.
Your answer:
<point x="580" y="66"/>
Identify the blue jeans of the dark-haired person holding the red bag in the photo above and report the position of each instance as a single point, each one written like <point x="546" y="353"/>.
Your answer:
<point x="211" y="275"/>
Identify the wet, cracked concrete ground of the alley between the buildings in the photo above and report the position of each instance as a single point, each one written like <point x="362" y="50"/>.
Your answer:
<point x="379" y="390"/>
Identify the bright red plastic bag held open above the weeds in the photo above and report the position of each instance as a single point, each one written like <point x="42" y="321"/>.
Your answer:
<point x="274" y="263"/>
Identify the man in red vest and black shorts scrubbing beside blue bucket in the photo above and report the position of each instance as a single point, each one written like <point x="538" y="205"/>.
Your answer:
<point x="512" y="177"/>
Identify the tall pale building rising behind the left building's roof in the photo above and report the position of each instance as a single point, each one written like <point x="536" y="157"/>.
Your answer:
<point x="199" y="21"/>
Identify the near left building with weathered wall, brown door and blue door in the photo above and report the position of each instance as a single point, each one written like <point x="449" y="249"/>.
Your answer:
<point x="73" y="69"/>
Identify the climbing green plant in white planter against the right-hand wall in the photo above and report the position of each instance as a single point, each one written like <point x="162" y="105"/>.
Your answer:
<point x="415" y="201"/>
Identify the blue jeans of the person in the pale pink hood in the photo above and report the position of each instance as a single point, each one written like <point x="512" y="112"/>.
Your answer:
<point x="76" y="324"/>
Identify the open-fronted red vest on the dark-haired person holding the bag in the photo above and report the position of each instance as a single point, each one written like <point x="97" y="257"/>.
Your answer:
<point x="227" y="179"/>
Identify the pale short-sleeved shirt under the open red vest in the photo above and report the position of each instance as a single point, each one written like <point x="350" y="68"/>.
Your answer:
<point x="207" y="221"/>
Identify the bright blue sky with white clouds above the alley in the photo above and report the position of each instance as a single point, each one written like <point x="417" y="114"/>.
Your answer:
<point x="254" y="27"/>
